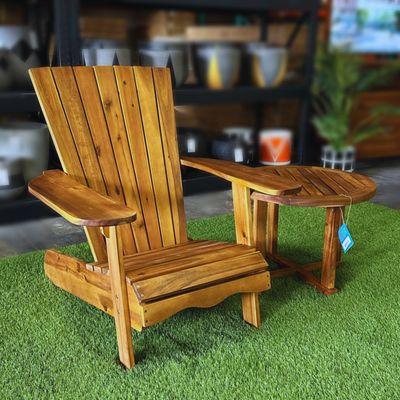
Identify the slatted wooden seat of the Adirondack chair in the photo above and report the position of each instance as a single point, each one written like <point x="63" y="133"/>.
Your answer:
<point x="173" y="270"/>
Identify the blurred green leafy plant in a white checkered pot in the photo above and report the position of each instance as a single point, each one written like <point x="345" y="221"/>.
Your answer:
<point x="339" y="79"/>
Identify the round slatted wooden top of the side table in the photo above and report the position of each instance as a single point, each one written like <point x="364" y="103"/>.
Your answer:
<point x="321" y="187"/>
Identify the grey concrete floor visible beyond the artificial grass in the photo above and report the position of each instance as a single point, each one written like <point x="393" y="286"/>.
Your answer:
<point x="56" y="232"/>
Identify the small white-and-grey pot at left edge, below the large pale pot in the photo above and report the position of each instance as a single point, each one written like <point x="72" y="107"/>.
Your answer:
<point x="12" y="183"/>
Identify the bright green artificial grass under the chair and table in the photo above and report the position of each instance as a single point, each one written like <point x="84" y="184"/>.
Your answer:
<point x="311" y="347"/>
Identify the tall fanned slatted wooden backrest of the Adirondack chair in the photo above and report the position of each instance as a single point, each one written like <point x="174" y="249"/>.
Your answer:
<point x="114" y="130"/>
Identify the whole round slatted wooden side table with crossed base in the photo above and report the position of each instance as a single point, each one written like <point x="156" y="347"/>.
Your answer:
<point x="321" y="187"/>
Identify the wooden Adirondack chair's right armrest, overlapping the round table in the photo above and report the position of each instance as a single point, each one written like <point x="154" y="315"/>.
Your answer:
<point x="251" y="178"/>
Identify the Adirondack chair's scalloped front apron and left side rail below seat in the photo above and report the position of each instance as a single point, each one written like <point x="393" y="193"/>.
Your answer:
<point x="94" y="287"/>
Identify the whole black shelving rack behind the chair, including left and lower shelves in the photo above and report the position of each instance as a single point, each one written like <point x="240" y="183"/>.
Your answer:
<point x="66" y="27"/>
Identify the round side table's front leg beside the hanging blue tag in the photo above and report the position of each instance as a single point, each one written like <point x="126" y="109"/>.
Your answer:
<point x="331" y="249"/>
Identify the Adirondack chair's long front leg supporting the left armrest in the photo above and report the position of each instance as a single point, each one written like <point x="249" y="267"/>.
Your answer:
<point x="119" y="296"/>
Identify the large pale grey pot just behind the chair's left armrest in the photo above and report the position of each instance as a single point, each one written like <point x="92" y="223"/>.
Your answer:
<point x="28" y="142"/>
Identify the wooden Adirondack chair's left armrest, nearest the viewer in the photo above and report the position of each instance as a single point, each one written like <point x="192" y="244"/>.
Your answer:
<point x="78" y="203"/>
